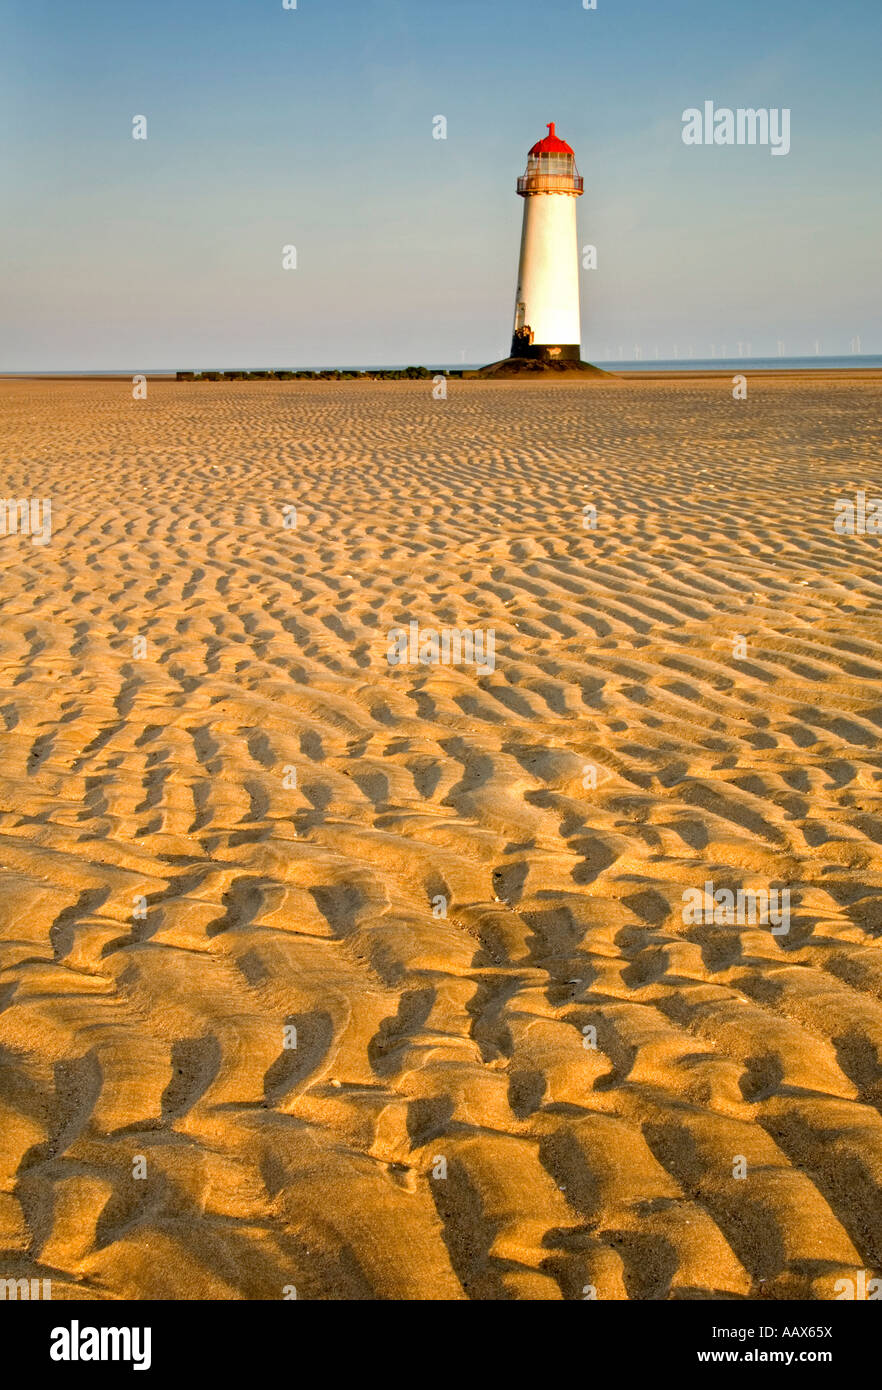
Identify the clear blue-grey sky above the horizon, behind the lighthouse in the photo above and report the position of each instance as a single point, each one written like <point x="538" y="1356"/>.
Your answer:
<point x="313" y="127"/>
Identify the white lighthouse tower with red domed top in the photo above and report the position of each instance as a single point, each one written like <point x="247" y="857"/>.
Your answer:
<point x="547" y="312"/>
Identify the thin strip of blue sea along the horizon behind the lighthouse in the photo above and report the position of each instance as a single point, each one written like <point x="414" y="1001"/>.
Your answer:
<point x="815" y="363"/>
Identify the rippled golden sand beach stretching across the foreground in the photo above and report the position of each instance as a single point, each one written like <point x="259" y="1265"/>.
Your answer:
<point x="230" y="826"/>
